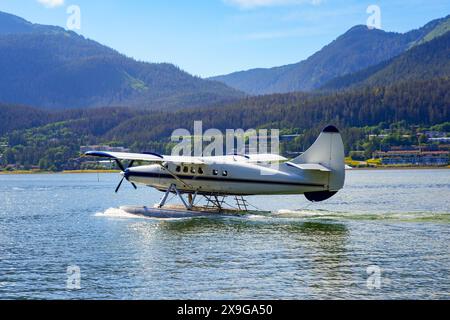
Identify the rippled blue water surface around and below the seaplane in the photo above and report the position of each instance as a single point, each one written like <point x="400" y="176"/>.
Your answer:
<point x="397" y="220"/>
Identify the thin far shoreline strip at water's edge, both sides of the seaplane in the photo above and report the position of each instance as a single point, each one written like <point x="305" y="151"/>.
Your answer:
<point x="25" y="172"/>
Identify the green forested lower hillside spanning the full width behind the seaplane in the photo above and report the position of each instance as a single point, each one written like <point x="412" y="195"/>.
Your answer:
<point x="399" y="111"/>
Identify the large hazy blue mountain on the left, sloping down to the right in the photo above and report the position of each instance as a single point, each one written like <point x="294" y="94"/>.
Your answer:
<point x="50" y="67"/>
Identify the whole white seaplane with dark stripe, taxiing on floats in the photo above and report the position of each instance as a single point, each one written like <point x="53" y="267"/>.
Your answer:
<point x="318" y="174"/>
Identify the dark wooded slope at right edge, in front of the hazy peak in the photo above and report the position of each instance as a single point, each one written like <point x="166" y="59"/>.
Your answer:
<point x="428" y="60"/>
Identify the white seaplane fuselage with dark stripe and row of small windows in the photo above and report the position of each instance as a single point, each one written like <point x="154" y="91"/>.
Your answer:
<point x="229" y="178"/>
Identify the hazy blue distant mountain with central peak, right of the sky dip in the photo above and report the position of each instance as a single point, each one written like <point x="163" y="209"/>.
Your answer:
<point x="358" y="49"/>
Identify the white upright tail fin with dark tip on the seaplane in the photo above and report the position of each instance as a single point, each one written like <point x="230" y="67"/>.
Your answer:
<point x="328" y="151"/>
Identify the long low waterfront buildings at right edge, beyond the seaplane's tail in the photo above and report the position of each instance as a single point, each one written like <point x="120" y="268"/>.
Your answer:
<point x="413" y="157"/>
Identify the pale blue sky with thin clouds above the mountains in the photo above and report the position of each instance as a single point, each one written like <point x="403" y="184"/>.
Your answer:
<point x="212" y="37"/>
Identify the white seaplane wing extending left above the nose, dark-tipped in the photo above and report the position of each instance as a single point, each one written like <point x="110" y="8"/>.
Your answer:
<point x="150" y="157"/>
